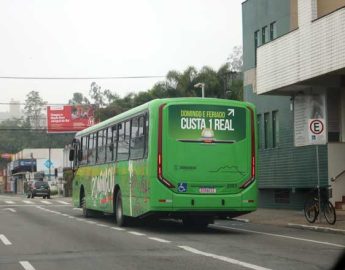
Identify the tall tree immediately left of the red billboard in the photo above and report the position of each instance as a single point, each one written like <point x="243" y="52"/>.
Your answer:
<point x="34" y="106"/>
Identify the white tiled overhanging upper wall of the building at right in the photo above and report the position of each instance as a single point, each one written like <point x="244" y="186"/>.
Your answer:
<point x="314" y="49"/>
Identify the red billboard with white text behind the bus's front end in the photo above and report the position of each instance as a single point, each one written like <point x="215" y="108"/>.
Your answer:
<point x="69" y="118"/>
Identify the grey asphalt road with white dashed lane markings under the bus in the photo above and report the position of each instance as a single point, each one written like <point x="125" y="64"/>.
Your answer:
<point x="51" y="234"/>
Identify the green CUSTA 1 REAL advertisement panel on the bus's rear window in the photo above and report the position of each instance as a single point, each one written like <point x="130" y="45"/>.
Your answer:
<point x="207" y="123"/>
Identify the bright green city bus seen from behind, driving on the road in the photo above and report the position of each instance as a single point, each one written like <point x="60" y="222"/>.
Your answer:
<point x="185" y="158"/>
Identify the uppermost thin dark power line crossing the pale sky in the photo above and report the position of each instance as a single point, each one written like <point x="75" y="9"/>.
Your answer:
<point x="82" y="78"/>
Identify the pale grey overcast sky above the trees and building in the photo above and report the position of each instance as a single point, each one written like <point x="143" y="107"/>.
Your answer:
<point x="80" y="38"/>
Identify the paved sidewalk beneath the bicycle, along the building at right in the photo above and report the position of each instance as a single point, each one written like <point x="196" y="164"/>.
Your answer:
<point x="293" y="218"/>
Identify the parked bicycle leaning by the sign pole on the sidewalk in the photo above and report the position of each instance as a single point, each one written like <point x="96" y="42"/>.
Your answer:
<point x="312" y="207"/>
